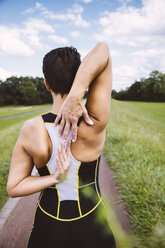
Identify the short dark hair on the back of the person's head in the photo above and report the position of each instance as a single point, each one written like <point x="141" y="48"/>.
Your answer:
<point x="59" y="67"/>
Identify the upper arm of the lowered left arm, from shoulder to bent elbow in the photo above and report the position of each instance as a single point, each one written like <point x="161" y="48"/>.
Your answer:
<point x="21" y="163"/>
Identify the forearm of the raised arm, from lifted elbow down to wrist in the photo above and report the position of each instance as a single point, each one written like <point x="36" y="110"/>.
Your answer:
<point x="92" y="65"/>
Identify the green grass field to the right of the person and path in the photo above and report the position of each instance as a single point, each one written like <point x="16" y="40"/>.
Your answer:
<point x="135" y="149"/>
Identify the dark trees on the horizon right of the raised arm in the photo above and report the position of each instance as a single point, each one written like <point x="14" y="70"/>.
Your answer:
<point x="151" y="89"/>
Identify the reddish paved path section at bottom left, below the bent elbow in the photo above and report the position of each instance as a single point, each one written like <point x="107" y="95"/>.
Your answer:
<point x="16" y="231"/>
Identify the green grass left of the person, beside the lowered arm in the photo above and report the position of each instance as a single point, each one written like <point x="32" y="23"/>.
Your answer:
<point x="9" y="130"/>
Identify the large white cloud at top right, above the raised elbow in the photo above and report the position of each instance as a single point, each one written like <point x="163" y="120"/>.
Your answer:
<point x="134" y="26"/>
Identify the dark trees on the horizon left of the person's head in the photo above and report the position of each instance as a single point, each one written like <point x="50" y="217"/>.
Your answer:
<point x="24" y="91"/>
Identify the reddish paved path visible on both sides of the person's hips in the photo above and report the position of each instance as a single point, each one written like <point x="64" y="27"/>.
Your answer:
<point x="16" y="230"/>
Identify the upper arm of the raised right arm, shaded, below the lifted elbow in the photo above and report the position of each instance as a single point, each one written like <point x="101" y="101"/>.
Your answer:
<point x="98" y="101"/>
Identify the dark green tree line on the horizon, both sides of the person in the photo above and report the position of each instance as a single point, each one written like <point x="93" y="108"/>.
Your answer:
<point x="32" y="91"/>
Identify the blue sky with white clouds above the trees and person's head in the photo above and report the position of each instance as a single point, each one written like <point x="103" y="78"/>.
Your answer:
<point x="134" y="30"/>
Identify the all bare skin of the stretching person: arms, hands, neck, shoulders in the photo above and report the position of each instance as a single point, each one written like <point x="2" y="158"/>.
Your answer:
<point x="34" y="146"/>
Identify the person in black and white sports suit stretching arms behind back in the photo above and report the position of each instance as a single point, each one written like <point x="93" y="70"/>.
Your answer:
<point x="66" y="212"/>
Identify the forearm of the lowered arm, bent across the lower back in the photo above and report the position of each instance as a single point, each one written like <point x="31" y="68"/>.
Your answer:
<point x="30" y="185"/>
